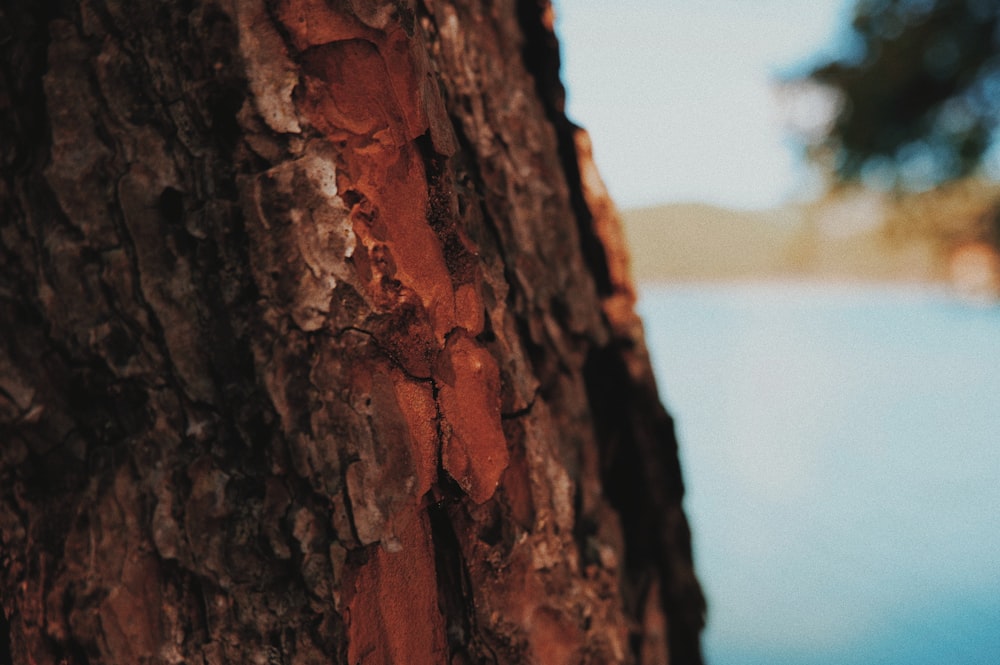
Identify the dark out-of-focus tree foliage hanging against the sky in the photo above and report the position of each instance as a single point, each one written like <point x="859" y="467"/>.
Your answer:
<point x="919" y="92"/>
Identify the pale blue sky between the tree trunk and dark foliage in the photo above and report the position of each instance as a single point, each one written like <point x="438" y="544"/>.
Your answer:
<point x="680" y="98"/>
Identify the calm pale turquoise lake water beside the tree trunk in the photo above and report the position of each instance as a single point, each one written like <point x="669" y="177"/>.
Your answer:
<point x="841" y="447"/>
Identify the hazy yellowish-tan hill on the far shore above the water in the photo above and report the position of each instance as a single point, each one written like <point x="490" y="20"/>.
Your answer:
<point x="697" y="242"/>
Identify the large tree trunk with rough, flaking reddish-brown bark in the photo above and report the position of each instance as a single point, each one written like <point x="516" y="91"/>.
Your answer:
<point x="318" y="346"/>
